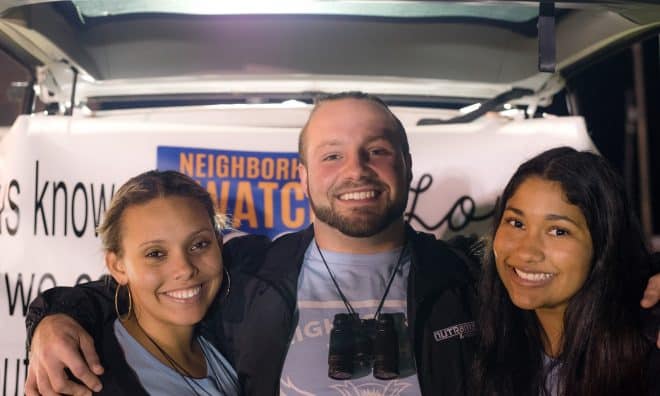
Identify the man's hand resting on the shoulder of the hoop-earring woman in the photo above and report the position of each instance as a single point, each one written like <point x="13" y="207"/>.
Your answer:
<point x="59" y="342"/>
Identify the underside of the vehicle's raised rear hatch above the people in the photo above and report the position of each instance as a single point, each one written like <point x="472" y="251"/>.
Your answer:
<point x="468" y="43"/>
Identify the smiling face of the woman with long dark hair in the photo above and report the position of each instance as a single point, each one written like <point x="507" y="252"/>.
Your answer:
<point x="543" y="247"/>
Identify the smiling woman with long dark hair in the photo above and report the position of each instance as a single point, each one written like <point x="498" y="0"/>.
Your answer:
<point x="564" y="272"/>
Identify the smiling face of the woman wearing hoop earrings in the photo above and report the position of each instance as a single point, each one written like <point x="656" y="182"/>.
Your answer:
<point x="170" y="259"/>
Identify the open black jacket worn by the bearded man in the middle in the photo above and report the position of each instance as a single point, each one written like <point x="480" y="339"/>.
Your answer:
<point x="253" y="327"/>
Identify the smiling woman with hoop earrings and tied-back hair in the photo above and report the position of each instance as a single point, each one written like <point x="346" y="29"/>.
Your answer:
<point x="162" y="241"/>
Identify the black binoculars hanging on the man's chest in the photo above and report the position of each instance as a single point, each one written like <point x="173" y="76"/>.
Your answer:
<point x="357" y="345"/>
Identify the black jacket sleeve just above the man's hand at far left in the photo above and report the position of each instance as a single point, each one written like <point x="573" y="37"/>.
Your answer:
<point x="90" y="304"/>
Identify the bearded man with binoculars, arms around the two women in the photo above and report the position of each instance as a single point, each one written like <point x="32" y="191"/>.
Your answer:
<point x="357" y="256"/>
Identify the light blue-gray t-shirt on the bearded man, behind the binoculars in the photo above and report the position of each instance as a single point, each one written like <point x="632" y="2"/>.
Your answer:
<point x="363" y="279"/>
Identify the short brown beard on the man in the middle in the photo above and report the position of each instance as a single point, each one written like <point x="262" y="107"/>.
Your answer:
<point x="365" y="222"/>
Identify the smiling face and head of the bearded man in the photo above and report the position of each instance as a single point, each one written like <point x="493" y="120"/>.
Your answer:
<point x="355" y="173"/>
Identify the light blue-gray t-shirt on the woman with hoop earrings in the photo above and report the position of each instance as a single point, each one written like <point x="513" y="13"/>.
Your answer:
<point x="159" y="379"/>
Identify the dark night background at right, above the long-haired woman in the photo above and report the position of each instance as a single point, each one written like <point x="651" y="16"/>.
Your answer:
<point x="605" y="92"/>
